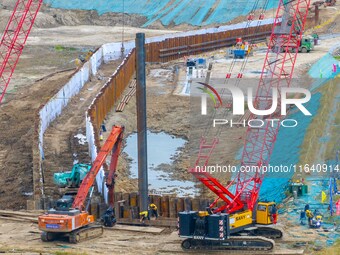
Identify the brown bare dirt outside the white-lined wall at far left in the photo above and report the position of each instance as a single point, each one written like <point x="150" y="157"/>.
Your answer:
<point x="17" y="127"/>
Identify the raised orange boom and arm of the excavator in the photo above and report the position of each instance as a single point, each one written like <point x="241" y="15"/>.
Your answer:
<point x="112" y="144"/>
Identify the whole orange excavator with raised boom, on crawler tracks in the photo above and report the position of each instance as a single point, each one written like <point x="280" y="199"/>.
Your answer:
<point x="70" y="218"/>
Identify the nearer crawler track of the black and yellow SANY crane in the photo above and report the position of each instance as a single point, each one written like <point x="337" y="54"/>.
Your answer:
<point x="247" y="243"/>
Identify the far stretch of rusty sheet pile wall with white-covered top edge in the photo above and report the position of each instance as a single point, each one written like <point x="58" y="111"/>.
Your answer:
<point x="207" y="37"/>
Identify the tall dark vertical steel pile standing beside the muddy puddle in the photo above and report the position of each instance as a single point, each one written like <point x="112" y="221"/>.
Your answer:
<point x="141" y="122"/>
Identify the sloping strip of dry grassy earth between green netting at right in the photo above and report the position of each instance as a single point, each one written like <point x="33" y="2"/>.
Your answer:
<point x="311" y="144"/>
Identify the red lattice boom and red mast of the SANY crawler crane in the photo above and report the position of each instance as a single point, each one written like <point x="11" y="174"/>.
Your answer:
<point x="277" y="72"/>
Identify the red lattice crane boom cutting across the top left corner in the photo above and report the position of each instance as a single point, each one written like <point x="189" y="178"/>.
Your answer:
<point x="14" y="38"/>
